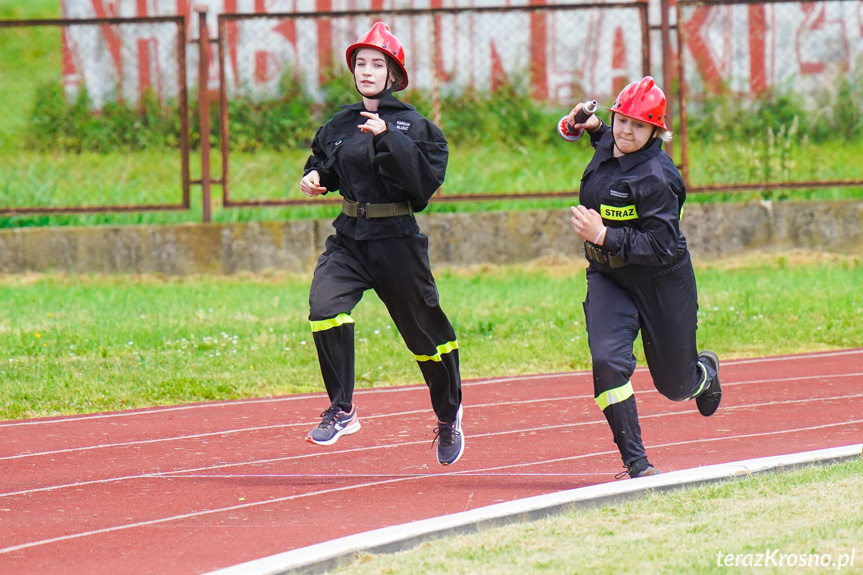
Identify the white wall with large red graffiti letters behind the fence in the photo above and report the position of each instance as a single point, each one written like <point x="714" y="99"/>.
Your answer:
<point x="748" y="48"/>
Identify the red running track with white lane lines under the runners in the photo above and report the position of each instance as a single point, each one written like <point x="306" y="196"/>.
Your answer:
<point x="193" y="488"/>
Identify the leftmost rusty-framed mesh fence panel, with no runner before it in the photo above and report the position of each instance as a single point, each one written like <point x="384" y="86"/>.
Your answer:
<point x="84" y="140"/>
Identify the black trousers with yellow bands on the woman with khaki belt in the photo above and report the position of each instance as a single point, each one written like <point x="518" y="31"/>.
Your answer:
<point x="398" y="270"/>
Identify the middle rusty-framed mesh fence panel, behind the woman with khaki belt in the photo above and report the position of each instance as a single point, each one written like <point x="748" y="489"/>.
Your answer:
<point x="490" y="77"/>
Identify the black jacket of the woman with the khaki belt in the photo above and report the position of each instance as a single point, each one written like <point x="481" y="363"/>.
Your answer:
<point x="407" y="163"/>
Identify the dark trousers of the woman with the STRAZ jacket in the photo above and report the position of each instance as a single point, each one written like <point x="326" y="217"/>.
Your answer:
<point x="661" y="302"/>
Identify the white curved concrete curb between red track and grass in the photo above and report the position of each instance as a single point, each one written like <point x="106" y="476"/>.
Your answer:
<point x="322" y="557"/>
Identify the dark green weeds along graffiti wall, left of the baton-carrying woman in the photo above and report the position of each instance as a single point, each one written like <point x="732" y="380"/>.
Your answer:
<point x="58" y="123"/>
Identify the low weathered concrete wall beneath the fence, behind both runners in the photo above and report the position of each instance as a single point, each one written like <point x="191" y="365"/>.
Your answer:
<point x="713" y="231"/>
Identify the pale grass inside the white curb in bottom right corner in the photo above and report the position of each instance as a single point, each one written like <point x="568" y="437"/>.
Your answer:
<point x="785" y="522"/>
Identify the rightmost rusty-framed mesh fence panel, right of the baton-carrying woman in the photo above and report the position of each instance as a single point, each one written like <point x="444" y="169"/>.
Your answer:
<point x="770" y="94"/>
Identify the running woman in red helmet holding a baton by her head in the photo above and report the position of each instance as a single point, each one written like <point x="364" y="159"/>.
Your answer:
<point x="640" y="276"/>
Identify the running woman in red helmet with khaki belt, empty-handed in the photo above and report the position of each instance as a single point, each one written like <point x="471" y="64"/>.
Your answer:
<point x="386" y="160"/>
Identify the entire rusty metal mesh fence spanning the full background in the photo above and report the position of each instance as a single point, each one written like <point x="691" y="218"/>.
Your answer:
<point x="766" y="95"/>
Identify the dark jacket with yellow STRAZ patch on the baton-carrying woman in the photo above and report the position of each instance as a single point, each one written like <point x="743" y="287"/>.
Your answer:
<point x="640" y="197"/>
